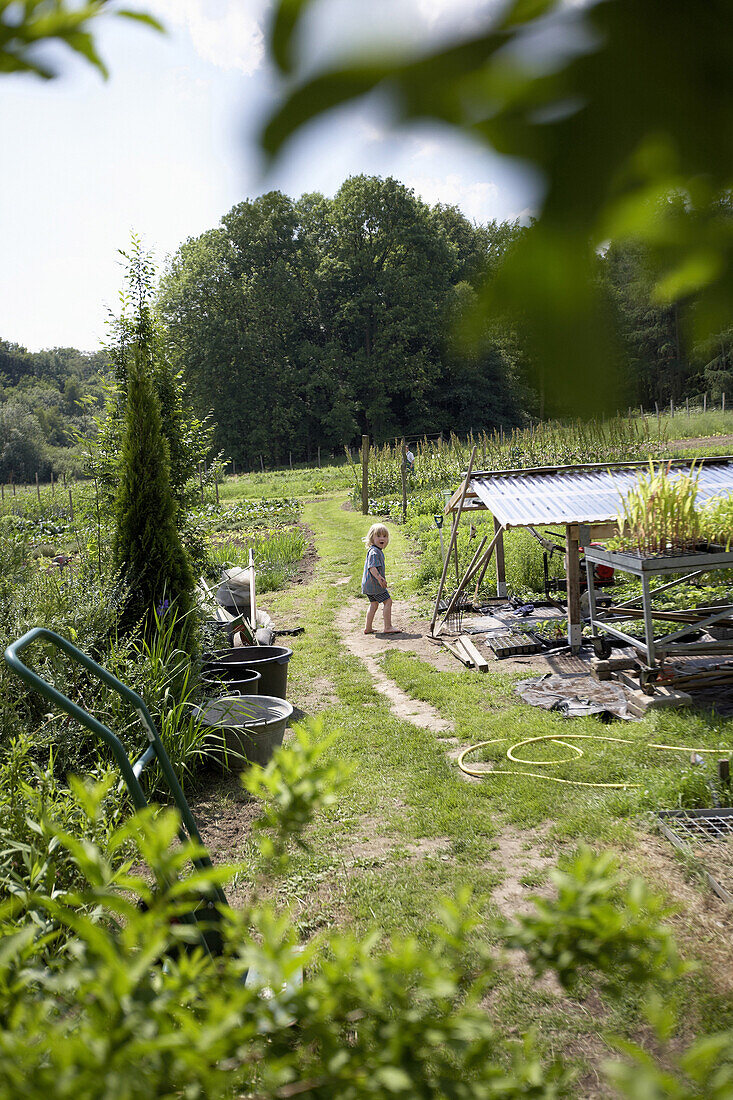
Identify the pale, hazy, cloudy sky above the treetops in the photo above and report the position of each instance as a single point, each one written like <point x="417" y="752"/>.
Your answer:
<point x="168" y="145"/>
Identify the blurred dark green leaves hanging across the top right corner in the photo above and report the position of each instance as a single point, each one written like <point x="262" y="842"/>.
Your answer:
<point x="626" y="111"/>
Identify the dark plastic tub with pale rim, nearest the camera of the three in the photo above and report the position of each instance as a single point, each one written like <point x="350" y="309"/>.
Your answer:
<point x="246" y="729"/>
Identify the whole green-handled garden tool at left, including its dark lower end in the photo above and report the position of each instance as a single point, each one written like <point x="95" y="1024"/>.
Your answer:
<point x="205" y="914"/>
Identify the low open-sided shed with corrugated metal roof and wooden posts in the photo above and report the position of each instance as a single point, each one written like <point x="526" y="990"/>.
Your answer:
<point x="585" y="500"/>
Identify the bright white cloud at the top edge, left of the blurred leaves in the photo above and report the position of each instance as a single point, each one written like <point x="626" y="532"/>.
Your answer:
<point x="226" y="34"/>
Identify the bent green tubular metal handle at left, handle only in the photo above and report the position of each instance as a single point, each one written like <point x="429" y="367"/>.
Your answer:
<point x="130" y="773"/>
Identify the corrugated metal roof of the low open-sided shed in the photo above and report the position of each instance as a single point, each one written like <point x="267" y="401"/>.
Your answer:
<point x="523" y="499"/>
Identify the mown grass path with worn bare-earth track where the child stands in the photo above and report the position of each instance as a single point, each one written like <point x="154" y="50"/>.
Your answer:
<point x="408" y="829"/>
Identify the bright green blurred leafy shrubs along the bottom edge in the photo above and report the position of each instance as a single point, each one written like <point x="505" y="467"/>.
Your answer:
<point x="101" y="995"/>
